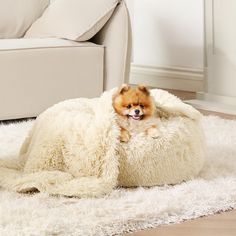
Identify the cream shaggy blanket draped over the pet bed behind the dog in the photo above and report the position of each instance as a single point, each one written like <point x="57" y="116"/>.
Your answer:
<point x="72" y="149"/>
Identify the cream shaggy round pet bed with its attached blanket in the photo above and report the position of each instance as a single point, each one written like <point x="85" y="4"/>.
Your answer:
<point x="73" y="149"/>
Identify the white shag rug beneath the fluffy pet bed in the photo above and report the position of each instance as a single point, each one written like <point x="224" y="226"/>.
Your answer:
<point x="125" y="210"/>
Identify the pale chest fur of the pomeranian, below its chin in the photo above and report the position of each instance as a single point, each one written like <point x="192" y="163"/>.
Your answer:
<point x="138" y="126"/>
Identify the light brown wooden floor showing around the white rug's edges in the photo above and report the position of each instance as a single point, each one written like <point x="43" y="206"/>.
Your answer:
<point x="223" y="224"/>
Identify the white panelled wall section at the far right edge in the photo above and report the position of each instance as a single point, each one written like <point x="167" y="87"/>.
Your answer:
<point x="220" y="82"/>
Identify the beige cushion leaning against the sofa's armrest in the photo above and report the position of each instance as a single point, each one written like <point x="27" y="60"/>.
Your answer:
<point x="77" y="20"/>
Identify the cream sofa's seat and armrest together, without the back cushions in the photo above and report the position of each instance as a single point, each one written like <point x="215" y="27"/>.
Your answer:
<point x="38" y="72"/>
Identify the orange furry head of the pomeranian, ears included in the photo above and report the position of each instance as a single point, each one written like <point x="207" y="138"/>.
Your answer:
<point x="134" y="103"/>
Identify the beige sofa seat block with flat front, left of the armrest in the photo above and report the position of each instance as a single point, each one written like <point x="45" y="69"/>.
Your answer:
<point x="36" y="73"/>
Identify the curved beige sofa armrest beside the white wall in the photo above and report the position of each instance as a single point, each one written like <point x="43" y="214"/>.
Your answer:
<point x="116" y="38"/>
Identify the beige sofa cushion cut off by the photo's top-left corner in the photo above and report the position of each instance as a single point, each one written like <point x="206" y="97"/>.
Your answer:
<point x="16" y="16"/>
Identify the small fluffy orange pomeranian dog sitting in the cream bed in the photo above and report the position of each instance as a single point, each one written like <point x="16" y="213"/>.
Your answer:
<point x="136" y="112"/>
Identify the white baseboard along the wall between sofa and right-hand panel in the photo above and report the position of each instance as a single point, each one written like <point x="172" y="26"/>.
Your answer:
<point x="178" y="78"/>
